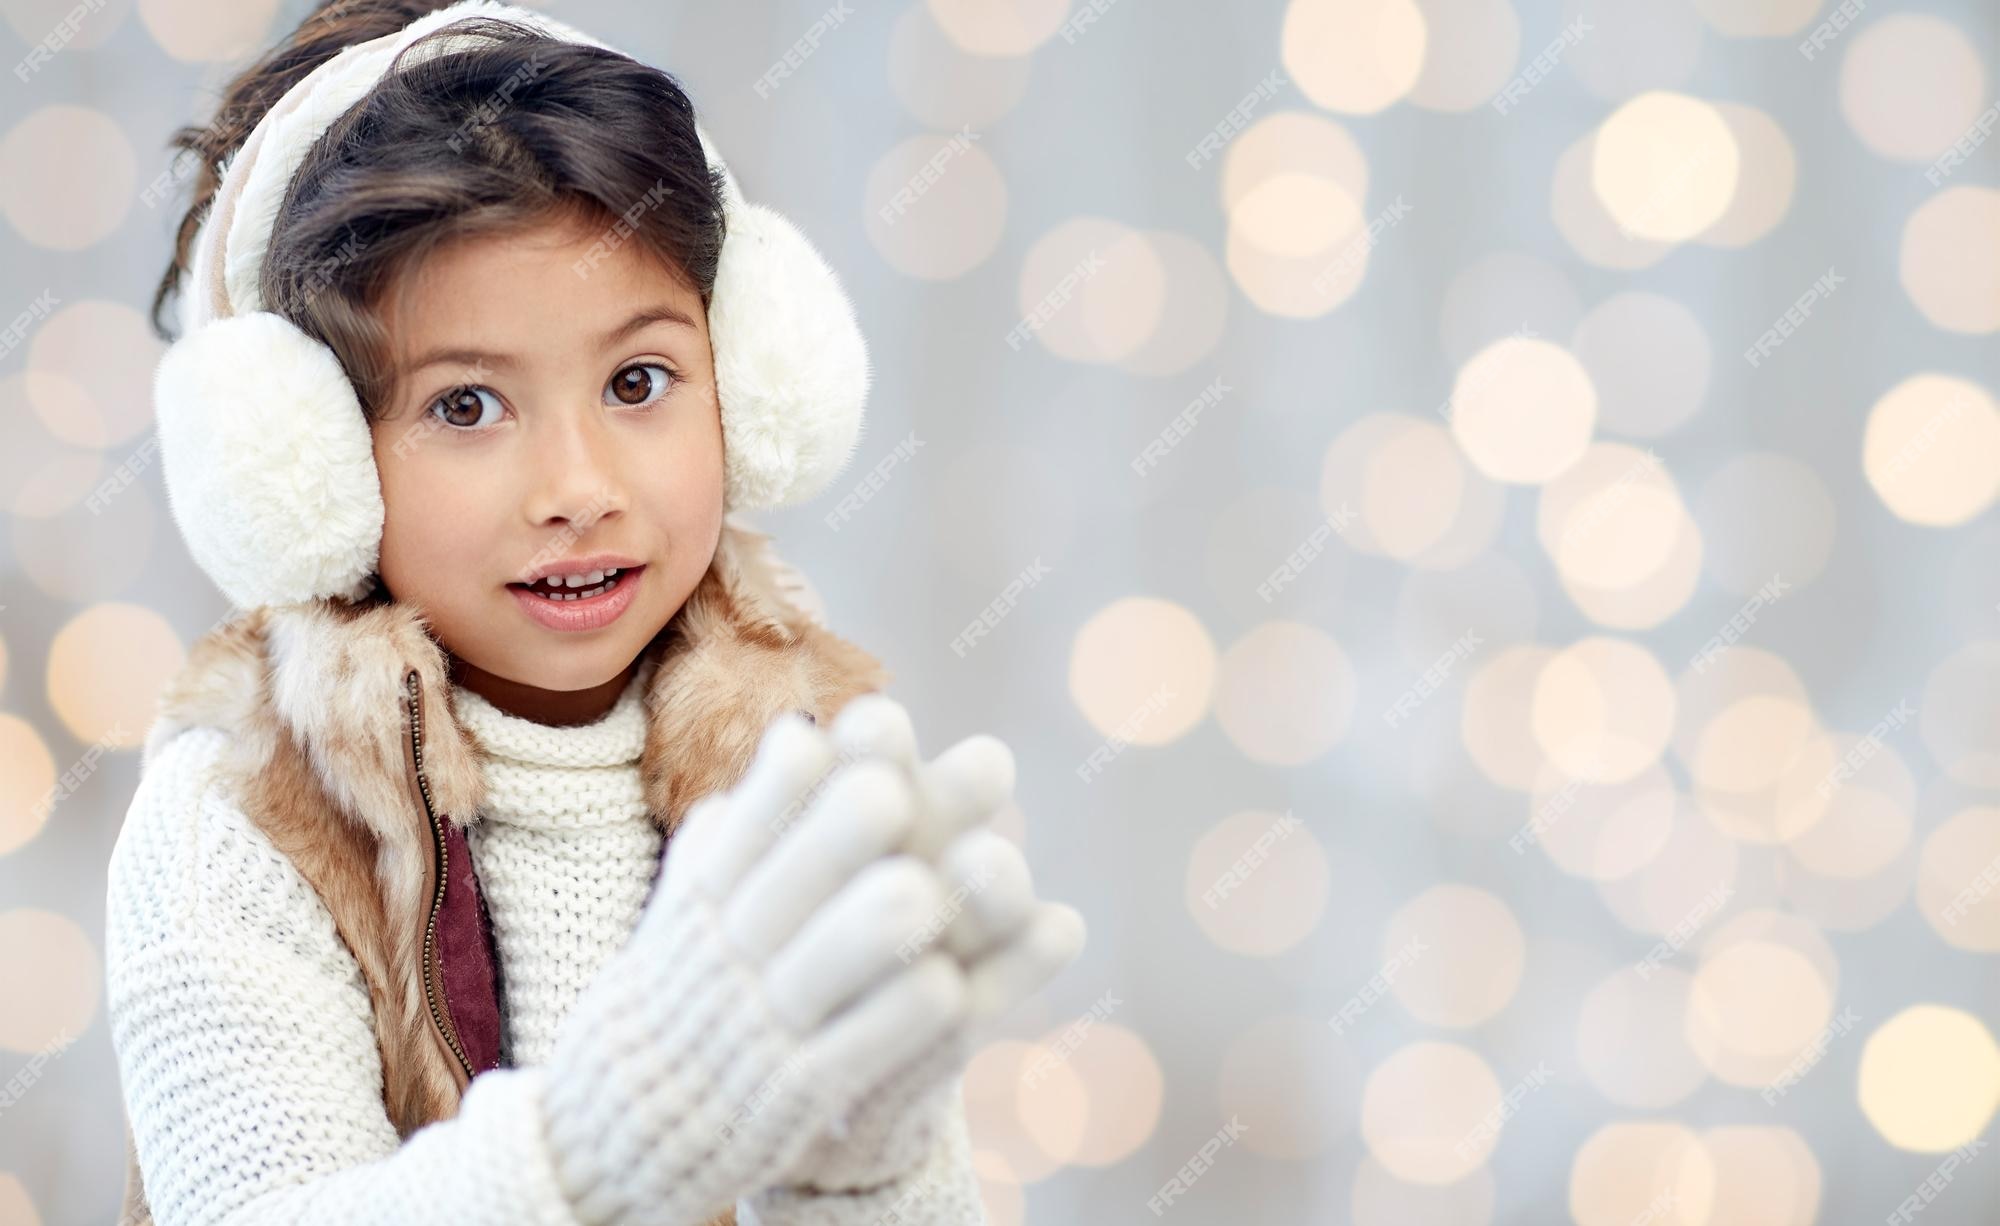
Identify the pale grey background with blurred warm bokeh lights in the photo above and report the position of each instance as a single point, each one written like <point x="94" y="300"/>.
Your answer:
<point x="1507" y="649"/>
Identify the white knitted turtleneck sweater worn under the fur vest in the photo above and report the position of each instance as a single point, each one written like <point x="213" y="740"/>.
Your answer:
<point x="245" y="1031"/>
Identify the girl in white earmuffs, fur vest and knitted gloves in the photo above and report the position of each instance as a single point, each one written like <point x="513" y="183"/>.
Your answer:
<point x="525" y="851"/>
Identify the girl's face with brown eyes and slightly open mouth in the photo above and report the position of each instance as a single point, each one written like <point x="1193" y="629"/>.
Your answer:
<point x="553" y="399"/>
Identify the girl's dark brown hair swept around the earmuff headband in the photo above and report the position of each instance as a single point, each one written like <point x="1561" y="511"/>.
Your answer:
<point x="511" y="133"/>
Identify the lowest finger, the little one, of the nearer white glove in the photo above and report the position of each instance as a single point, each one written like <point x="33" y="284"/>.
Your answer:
<point x="891" y="1025"/>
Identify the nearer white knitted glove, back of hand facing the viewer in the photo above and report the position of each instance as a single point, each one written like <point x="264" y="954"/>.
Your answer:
<point x="769" y="981"/>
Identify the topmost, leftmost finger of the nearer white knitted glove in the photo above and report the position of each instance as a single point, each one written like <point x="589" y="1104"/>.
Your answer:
<point x="789" y="761"/>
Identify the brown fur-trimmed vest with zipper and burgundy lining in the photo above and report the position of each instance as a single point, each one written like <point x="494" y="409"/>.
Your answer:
<point x="347" y="755"/>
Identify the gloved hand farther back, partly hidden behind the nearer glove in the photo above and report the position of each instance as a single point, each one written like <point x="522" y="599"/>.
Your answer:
<point x="1005" y="939"/>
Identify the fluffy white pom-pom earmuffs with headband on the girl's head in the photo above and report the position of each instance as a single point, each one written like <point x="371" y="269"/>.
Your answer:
<point x="267" y="457"/>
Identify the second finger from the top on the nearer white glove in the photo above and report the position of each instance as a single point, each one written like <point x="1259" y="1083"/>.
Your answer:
<point x="861" y="817"/>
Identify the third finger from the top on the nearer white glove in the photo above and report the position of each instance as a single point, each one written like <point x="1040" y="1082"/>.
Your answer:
<point x="873" y="927"/>
